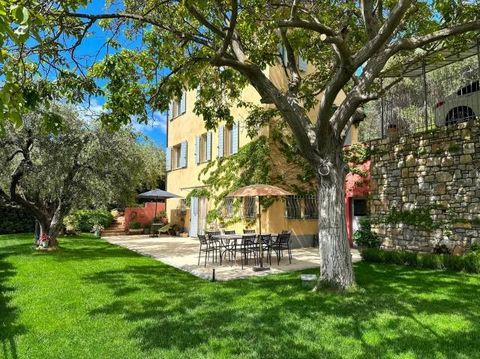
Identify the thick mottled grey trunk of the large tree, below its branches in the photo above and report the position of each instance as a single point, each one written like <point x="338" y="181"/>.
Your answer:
<point x="335" y="257"/>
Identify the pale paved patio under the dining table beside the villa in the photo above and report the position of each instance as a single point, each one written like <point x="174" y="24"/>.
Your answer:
<point x="182" y="253"/>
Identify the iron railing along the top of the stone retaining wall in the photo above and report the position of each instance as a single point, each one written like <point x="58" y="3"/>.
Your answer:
<point x="442" y="97"/>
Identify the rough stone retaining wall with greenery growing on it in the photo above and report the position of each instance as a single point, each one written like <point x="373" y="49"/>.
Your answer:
<point x="425" y="189"/>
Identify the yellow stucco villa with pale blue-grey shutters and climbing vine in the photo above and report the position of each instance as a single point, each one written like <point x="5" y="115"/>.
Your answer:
<point x="190" y="147"/>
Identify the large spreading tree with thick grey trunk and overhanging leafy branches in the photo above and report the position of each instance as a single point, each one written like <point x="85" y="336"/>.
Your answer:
<point x="221" y="46"/>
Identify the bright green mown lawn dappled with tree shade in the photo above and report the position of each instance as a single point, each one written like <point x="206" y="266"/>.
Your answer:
<point x="95" y="300"/>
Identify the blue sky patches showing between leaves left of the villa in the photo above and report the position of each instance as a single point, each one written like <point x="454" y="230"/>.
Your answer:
<point x="91" y="50"/>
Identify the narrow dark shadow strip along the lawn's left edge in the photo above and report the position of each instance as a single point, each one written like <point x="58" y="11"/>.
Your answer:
<point x="8" y="313"/>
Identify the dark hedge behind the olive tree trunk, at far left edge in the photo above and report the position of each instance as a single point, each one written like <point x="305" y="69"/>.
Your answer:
<point x="14" y="219"/>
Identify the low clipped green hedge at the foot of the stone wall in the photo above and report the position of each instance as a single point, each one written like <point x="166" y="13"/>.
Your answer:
<point x="470" y="262"/>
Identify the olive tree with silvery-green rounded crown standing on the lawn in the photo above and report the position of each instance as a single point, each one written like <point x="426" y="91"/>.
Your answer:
<point x="80" y="165"/>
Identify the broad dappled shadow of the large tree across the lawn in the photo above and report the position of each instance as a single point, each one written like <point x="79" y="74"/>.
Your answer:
<point x="275" y="317"/>
